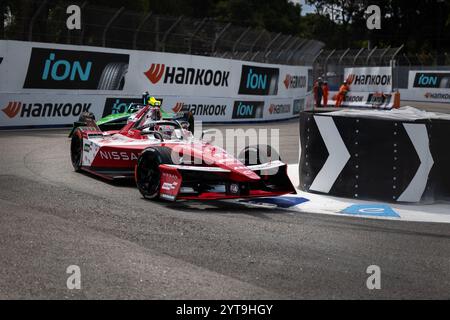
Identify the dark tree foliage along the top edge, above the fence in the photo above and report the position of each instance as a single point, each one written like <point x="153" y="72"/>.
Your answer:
<point x="421" y="25"/>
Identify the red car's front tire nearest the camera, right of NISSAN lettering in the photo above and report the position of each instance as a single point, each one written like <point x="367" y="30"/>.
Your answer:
<point x="147" y="170"/>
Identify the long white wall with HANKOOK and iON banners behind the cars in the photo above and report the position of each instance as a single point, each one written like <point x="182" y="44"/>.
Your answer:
<point x="44" y="84"/>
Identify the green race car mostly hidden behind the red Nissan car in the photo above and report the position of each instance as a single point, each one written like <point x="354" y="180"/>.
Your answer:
<point x="117" y="121"/>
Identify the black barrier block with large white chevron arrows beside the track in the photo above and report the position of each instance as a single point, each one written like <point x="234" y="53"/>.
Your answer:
<point x="397" y="156"/>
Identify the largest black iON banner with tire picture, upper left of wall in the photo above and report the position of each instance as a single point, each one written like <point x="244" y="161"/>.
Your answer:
<point x="71" y="69"/>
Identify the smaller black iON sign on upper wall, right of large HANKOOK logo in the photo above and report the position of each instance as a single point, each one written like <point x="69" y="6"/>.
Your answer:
<point x="258" y="80"/>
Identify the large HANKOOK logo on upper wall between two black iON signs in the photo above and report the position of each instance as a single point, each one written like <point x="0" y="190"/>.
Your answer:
<point x="187" y="76"/>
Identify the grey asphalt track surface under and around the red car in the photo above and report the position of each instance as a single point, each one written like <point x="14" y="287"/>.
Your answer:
<point x="130" y="248"/>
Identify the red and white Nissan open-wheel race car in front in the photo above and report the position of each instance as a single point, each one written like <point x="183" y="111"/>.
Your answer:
<point x="168" y="162"/>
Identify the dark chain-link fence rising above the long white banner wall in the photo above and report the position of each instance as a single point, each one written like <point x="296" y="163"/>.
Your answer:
<point x="120" y="28"/>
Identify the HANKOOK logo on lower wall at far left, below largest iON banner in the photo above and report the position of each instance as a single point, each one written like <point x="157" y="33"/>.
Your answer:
<point x="28" y="110"/>
